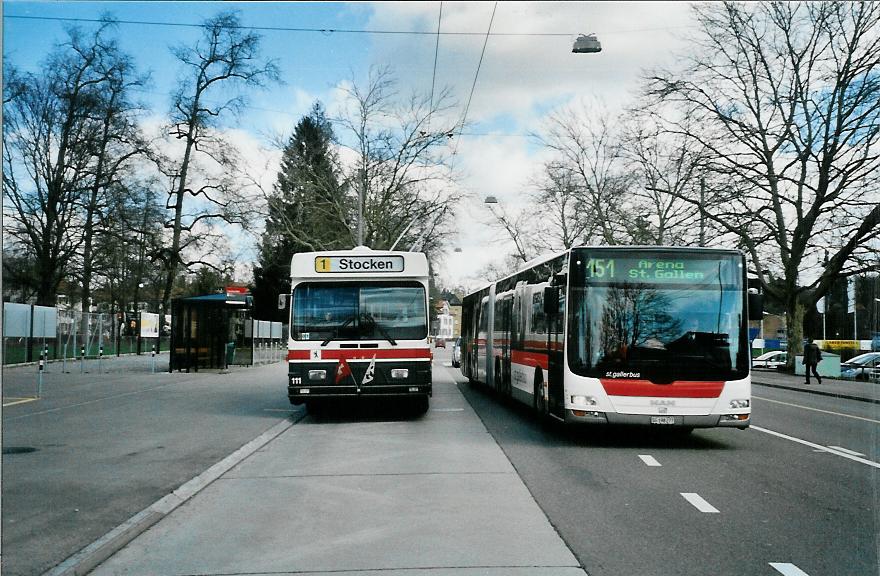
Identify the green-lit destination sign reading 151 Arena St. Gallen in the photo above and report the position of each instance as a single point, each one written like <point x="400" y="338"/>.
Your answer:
<point x="659" y="270"/>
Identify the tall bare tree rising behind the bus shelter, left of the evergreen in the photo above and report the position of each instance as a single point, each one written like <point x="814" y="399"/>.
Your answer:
<point x="224" y="60"/>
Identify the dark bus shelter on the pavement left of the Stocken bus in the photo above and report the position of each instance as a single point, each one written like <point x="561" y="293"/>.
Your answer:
<point x="206" y="330"/>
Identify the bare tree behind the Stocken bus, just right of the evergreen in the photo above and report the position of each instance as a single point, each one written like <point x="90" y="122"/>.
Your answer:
<point x="402" y="169"/>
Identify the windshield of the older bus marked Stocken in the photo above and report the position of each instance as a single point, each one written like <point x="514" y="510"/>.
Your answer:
<point x="363" y="311"/>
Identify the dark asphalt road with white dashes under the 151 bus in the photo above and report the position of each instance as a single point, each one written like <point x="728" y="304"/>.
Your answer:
<point x="617" y="497"/>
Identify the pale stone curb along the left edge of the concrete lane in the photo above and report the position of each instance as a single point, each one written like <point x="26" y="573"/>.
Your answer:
<point x="103" y="548"/>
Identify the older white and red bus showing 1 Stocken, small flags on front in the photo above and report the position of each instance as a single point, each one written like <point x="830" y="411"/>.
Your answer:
<point x="359" y="326"/>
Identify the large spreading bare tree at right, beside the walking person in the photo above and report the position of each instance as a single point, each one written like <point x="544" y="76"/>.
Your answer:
<point x="785" y="99"/>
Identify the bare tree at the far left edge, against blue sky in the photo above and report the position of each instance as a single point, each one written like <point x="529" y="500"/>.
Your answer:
<point x="49" y="132"/>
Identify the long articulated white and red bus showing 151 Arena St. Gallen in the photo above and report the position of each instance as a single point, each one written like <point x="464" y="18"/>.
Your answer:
<point x="619" y="335"/>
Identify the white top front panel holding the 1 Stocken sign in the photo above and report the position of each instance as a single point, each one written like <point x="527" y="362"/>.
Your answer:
<point x="358" y="263"/>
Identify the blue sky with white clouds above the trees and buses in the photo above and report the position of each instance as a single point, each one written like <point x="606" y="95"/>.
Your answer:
<point x="526" y="72"/>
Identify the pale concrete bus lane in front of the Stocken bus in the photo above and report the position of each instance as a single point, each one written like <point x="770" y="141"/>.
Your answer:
<point x="349" y="492"/>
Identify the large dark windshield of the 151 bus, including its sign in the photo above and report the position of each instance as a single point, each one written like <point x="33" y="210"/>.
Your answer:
<point x="659" y="317"/>
